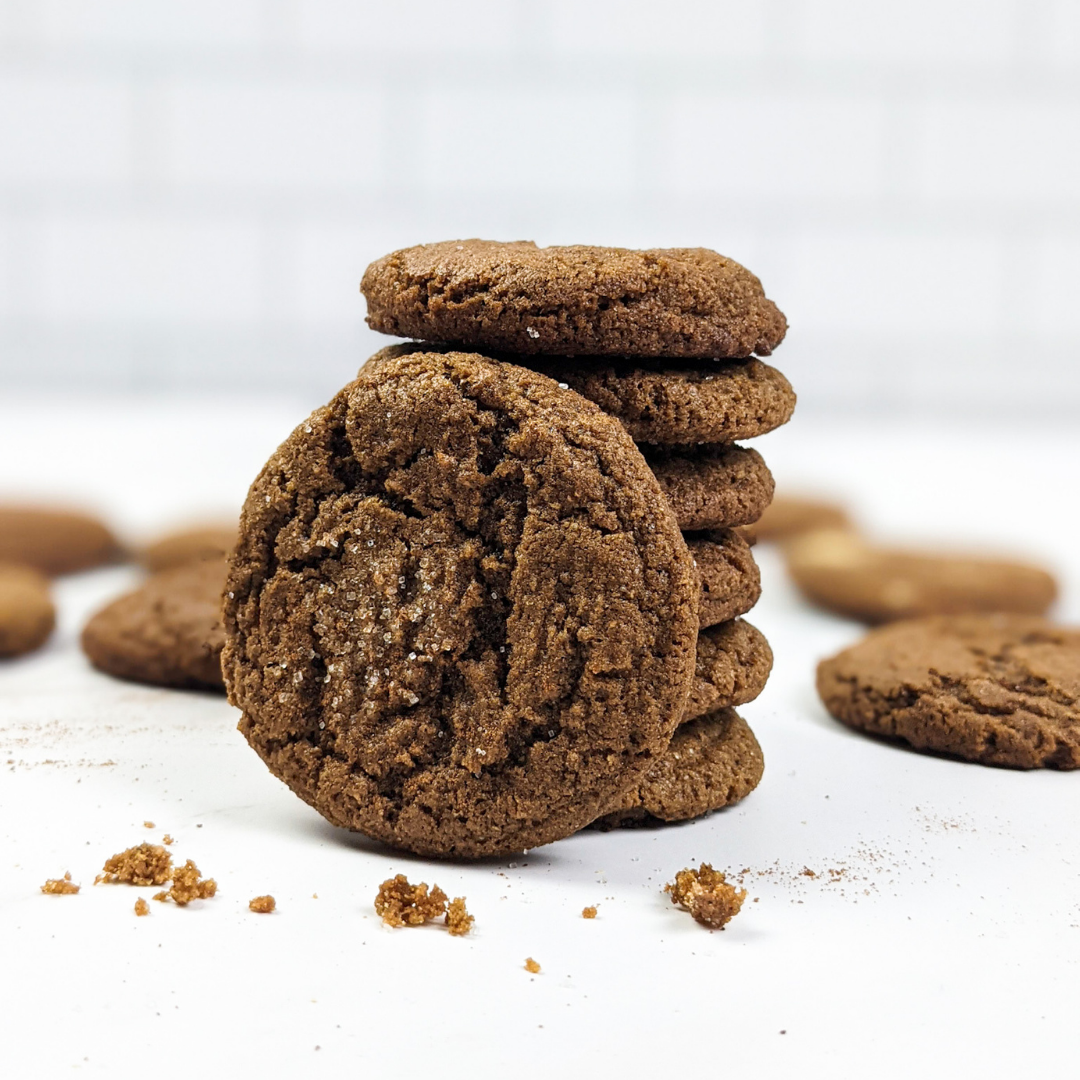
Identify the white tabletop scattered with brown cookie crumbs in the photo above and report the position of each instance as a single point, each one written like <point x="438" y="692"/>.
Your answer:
<point x="940" y="934"/>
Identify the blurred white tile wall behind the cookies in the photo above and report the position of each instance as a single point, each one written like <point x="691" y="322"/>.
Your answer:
<point x="190" y="193"/>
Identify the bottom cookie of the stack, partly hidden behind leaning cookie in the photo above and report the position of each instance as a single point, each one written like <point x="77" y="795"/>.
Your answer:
<point x="711" y="763"/>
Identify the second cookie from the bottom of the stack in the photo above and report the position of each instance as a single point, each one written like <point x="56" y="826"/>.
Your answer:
<point x="733" y="667"/>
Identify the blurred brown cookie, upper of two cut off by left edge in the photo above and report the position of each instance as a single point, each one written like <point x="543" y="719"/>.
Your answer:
<point x="55" y="541"/>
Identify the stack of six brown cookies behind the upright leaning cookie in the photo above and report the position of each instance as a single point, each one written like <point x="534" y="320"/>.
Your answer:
<point x="665" y="342"/>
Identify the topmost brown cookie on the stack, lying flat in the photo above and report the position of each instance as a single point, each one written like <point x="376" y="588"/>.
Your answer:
<point x="573" y="302"/>
